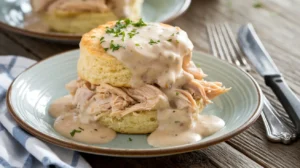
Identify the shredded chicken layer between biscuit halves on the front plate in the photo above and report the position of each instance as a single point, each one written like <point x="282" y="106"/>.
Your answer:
<point x="96" y="100"/>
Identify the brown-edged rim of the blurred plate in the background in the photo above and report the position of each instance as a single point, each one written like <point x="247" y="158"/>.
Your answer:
<point x="75" y="38"/>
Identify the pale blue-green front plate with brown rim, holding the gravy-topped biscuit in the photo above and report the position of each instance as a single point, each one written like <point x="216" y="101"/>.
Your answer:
<point x="30" y="94"/>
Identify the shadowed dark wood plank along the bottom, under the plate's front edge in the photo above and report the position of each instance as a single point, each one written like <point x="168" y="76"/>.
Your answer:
<point x="221" y="155"/>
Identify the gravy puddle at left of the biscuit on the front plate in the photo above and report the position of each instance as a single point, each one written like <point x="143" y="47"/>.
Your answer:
<point x="68" y="123"/>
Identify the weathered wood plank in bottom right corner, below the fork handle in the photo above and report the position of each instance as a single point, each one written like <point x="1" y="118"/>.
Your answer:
<point x="254" y="144"/>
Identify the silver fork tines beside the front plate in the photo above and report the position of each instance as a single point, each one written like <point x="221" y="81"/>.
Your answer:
<point x="224" y="46"/>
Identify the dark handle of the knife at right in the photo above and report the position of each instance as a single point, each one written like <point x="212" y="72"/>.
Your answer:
<point x="286" y="96"/>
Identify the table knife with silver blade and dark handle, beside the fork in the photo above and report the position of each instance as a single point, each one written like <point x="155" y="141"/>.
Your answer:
<point x="257" y="54"/>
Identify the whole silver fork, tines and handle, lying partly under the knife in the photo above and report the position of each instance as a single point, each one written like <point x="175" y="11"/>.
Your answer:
<point x="224" y="46"/>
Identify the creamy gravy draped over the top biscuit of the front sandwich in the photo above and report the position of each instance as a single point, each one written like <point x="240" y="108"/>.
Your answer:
<point x="154" y="55"/>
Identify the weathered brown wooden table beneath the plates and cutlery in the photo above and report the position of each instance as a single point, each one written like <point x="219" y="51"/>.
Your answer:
<point x="277" y="23"/>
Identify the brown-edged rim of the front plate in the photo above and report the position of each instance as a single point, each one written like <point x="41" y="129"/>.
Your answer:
<point x="135" y="152"/>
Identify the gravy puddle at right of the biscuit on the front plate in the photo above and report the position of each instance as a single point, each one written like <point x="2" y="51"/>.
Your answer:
<point x="178" y="127"/>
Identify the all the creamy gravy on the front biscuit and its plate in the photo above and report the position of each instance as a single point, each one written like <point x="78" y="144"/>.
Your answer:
<point x="155" y="54"/>
